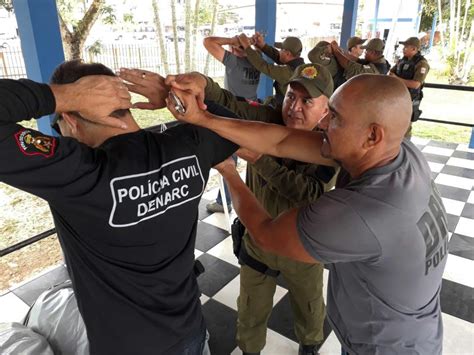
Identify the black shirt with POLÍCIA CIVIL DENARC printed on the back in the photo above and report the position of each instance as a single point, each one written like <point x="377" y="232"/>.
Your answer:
<point x="126" y="215"/>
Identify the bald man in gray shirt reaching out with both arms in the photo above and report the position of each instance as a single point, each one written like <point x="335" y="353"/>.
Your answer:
<point x="382" y="230"/>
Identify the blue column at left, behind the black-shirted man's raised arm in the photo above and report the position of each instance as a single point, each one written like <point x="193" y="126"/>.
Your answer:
<point x="41" y="43"/>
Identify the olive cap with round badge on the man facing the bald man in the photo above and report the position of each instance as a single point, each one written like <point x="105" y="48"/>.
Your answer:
<point x="315" y="78"/>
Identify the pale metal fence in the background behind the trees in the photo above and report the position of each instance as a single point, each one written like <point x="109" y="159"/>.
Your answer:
<point x="115" y="56"/>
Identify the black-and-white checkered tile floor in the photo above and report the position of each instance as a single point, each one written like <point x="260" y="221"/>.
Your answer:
<point x="452" y="167"/>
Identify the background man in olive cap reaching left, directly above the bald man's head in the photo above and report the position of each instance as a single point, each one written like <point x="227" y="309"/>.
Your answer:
<point x="373" y="62"/>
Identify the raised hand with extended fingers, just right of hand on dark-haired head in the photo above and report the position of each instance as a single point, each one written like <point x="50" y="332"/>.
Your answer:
<point x="146" y="83"/>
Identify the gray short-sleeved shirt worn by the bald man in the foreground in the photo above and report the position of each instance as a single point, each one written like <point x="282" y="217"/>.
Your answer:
<point x="384" y="236"/>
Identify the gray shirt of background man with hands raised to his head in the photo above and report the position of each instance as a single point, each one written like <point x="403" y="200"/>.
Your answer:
<point x="241" y="78"/>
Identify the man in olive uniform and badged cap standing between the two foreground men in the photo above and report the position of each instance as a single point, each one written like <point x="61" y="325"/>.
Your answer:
<point x="280" y="184"/>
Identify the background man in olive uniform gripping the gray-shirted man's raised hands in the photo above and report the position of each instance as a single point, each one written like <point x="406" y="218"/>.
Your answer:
<point x="287" y="59"/>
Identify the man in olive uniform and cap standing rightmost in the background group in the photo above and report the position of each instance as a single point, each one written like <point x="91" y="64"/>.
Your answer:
<point x="412" y="69"/>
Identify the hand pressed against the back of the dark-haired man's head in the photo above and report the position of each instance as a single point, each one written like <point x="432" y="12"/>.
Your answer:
<point x="94" y="97"/>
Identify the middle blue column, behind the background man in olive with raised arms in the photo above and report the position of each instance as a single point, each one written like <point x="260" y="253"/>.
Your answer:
<point x="265" y="21"/>
